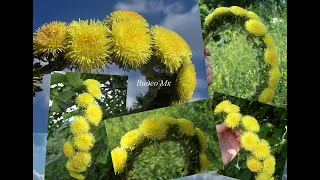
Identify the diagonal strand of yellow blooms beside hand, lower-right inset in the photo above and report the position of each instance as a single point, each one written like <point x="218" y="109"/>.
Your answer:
<point x="260" y="159"/>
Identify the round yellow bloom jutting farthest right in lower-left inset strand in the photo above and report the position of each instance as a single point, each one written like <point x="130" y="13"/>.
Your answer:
<point x="93" y="114"/>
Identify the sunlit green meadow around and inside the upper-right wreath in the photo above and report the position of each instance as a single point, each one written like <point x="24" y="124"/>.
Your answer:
<point x="233" y="57"/>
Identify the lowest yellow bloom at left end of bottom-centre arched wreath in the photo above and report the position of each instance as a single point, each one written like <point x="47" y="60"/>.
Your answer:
<point x="119" y="159"/>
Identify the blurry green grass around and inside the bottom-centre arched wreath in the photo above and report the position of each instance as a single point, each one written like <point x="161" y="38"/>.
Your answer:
<point x="165" y="160"/>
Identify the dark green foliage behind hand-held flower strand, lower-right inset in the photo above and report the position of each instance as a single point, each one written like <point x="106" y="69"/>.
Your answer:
<point x="273" y="128"/>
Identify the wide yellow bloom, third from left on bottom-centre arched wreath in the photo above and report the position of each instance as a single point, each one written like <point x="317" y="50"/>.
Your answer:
<point x="153" y="129"/>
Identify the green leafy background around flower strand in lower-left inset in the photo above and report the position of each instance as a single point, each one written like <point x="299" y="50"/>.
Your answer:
<point x="65" y="87"/>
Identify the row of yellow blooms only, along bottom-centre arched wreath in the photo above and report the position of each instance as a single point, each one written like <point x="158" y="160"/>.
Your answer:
<point x="156" y="129"/>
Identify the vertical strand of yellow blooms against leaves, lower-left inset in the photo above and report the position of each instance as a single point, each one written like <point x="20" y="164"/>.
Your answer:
<point x="78" y="149"/>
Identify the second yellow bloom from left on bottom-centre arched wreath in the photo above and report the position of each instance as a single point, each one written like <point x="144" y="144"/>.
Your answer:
<point x="131" y="139"/>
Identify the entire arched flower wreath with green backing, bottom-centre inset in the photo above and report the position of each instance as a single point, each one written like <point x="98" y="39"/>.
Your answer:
<point x="165" y="128"/>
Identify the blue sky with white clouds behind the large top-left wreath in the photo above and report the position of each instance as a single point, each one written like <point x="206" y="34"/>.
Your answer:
<point x="181" y="16"/>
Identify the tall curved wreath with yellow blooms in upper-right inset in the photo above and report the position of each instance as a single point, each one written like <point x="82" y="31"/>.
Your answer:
<point x="267" y="57"/>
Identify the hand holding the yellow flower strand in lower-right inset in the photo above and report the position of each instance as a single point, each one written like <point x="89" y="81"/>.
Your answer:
<point x="229" y="141"/>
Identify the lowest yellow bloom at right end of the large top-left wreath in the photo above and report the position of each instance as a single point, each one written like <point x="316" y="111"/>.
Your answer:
<point x="186" y="82"/>
